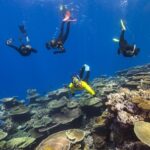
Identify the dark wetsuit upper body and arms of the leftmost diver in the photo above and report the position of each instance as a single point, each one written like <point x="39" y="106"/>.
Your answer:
<point x="24" y="50"/>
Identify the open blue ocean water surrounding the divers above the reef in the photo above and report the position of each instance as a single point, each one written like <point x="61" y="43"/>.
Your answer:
<point x="90" y="41"/>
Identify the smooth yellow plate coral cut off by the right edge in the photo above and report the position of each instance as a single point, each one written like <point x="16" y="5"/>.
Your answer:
<point x="142" y="131"/>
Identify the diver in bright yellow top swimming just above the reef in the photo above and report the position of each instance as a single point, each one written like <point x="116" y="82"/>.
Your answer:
<point x="80" y="83"/>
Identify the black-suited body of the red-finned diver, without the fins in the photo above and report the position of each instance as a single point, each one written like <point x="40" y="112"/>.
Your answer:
<point x="58" y="43"/>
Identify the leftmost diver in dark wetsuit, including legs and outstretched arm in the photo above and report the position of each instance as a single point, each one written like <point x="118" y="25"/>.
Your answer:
<point x="23" y="49"/>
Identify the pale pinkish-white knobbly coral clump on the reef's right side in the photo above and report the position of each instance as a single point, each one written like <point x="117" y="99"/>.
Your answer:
<point x="122" y="104"/>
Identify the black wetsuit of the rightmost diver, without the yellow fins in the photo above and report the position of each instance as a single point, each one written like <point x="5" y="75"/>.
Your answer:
<point x="126" y="49"/>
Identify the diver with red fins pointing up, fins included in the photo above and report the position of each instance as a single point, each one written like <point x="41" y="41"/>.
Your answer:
<point x="58" y="43"/>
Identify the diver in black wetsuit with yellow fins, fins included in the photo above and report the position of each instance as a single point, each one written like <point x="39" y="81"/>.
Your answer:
<point x="126" y="49"/>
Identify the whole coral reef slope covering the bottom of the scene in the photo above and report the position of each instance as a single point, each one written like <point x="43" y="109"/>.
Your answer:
<point x="118" y="118"/>
